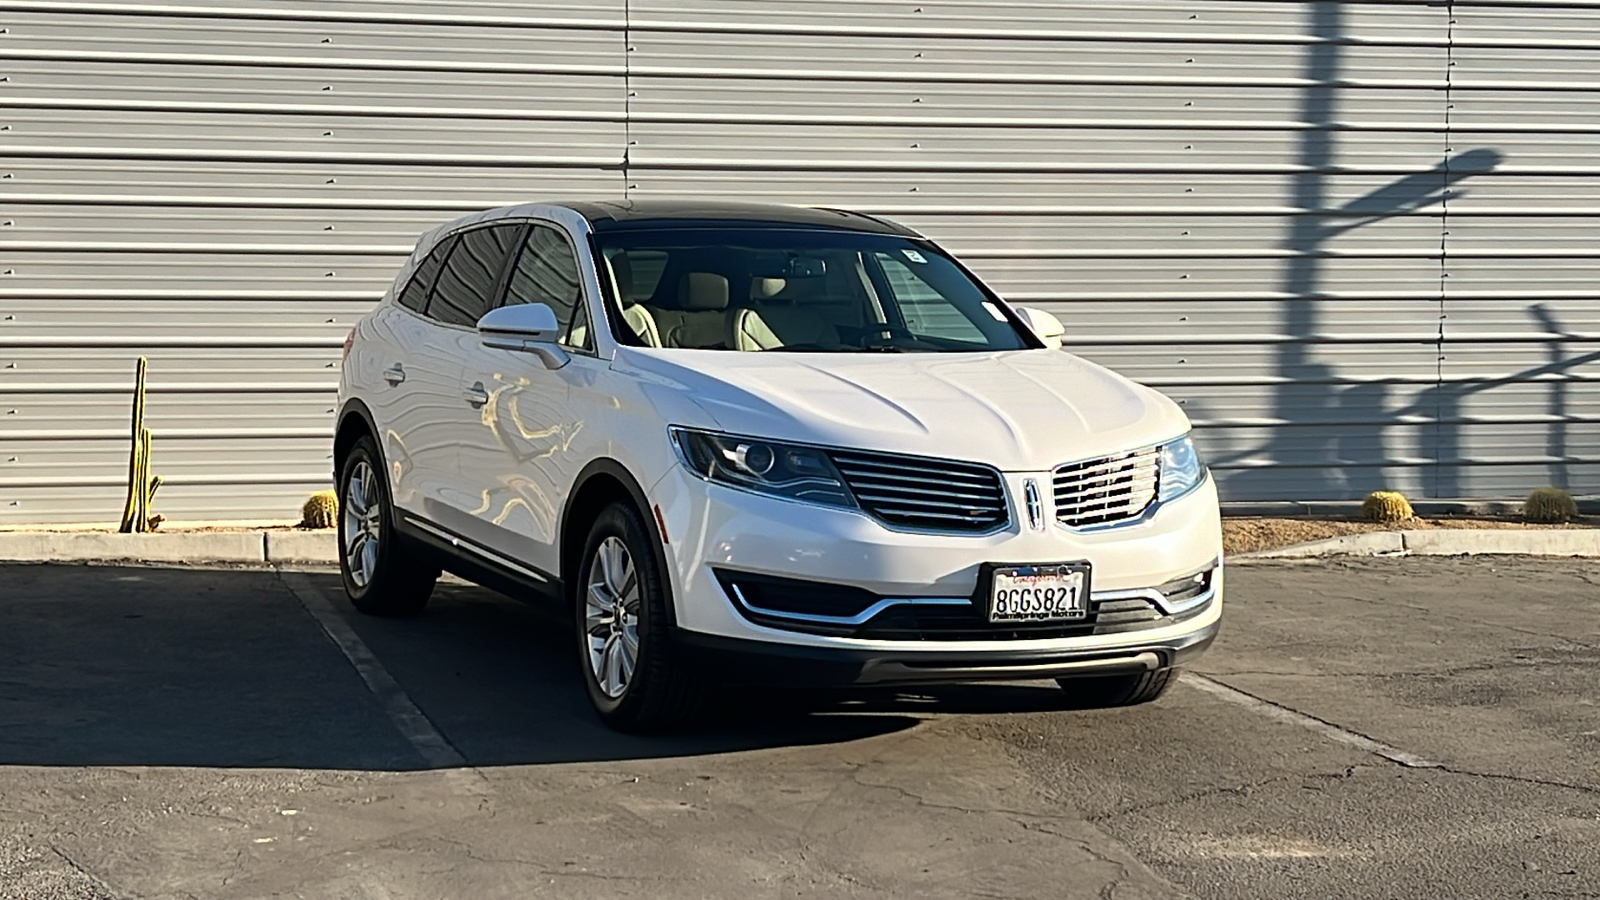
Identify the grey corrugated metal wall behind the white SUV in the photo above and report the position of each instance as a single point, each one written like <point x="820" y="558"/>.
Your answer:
<point x="1356" y="239"/>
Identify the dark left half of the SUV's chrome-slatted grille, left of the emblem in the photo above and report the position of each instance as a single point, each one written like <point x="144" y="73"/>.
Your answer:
<point x="914" y="492"/>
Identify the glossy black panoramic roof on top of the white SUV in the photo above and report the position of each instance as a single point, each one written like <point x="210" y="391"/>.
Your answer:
<point x="630" y="215"/>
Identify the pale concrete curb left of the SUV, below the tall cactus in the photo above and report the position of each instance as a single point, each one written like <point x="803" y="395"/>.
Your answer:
<point x="257" y="548"/>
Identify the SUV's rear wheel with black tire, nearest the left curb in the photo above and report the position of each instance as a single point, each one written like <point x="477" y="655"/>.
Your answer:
<point x="382" y="576"/>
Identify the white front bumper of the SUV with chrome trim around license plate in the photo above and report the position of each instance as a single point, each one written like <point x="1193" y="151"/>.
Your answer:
<point x="713" y="528"/>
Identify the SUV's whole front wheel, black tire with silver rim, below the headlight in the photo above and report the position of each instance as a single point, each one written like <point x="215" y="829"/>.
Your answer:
<point x="636" y="678"/>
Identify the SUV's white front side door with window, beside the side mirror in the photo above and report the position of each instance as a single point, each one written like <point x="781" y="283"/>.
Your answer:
<point x="518" y="452"/>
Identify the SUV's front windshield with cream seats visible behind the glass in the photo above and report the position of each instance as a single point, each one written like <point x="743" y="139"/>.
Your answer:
<point x="796" y="292"/>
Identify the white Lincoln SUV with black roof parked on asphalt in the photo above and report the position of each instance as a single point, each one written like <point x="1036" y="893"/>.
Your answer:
<point x="766" y="444"/>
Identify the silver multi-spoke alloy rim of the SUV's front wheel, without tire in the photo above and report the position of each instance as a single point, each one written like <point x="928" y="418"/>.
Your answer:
<point x="612" y="617"/>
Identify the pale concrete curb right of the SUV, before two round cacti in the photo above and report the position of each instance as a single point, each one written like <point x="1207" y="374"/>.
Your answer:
<point x="1446" y="542"/>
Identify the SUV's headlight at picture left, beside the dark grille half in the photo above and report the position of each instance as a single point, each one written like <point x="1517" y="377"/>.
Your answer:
<point x="764" y="467"/>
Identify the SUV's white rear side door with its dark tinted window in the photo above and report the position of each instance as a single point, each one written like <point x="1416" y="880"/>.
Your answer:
<point x="463" y="292"/>
